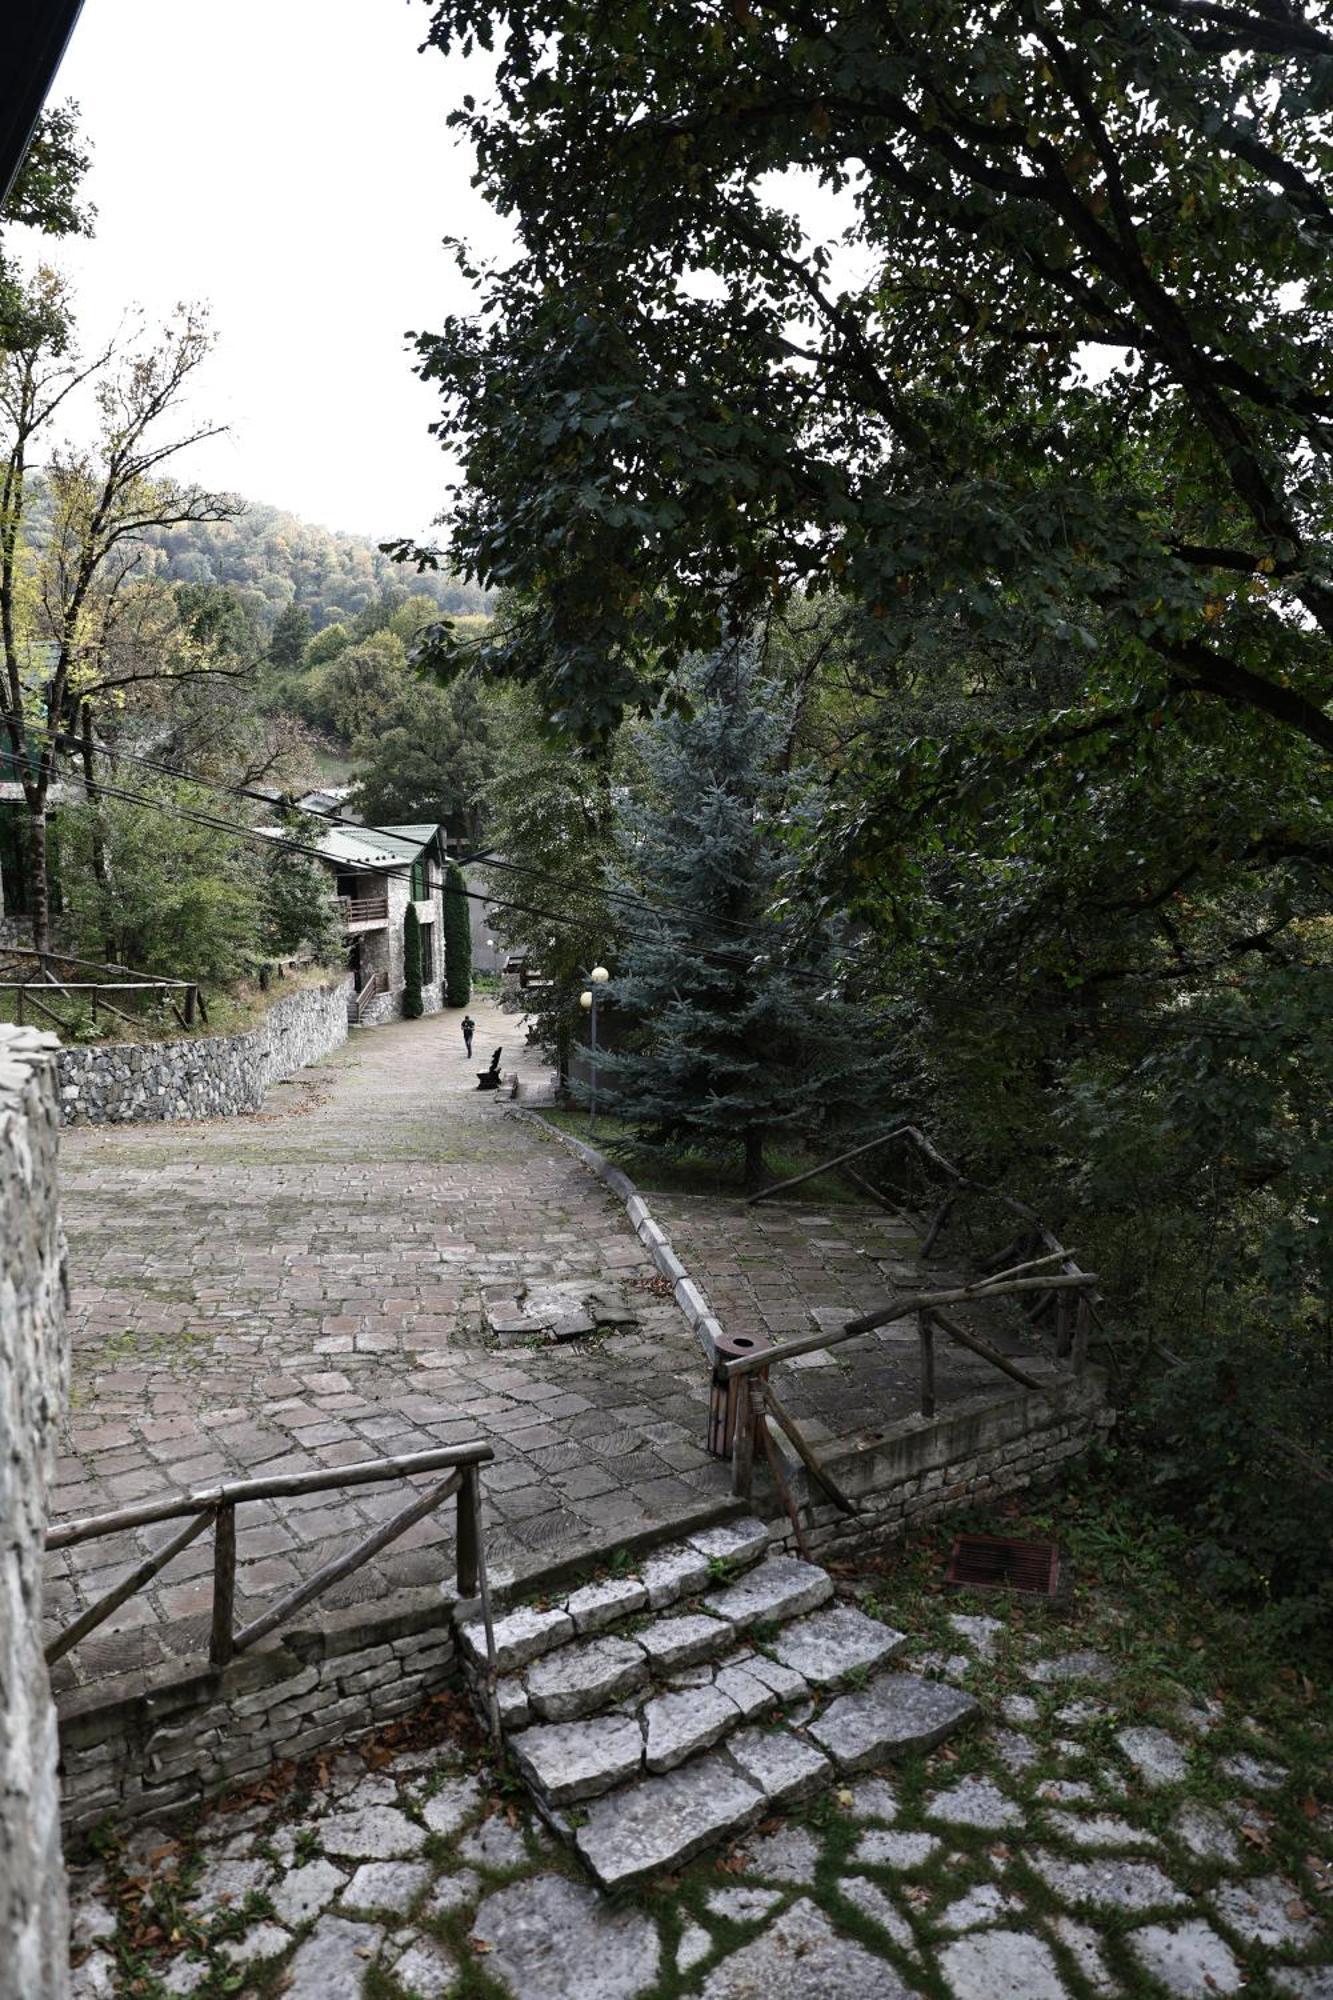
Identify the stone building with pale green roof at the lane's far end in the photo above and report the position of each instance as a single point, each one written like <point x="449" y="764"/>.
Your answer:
<point x="377" y="873"/>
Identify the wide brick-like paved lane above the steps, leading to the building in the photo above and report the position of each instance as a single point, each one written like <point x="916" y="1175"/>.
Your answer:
<point x="305" y="1289"/>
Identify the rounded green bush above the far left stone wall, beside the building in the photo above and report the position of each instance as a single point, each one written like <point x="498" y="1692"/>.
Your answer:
<point x="181" y="899"/>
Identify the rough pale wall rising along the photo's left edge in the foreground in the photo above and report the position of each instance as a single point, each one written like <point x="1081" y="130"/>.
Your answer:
<point x="33" y="1383"/>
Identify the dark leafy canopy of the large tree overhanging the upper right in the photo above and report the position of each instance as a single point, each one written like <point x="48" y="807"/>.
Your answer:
<point x="647" y="461"/>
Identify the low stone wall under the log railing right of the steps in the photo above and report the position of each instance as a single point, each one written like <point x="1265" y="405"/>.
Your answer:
<point x="970" y="1455"/>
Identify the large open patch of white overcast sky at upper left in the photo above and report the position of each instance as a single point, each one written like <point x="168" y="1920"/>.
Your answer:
<point x="285" y="161"/>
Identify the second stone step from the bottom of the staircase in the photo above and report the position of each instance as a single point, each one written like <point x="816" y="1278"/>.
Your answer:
<point x="672" y="1721"/>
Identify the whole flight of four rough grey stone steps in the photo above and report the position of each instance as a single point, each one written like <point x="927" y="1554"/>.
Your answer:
<point x="659" y="1713"/>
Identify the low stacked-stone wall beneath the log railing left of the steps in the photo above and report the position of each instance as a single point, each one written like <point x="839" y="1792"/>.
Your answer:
<point x="169" y="1747"/>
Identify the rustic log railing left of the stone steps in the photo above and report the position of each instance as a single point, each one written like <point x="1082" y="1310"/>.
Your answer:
<point x="217" y="1509"/>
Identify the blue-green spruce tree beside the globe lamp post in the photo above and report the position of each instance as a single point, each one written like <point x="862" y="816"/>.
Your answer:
<point x="732" y="1041"/>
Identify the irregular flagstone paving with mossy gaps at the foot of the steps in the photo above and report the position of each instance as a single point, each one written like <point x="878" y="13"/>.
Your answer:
<point x="1104" y="1835"/>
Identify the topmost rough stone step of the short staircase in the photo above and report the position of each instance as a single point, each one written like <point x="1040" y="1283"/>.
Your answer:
<point x="670" y="1575"/>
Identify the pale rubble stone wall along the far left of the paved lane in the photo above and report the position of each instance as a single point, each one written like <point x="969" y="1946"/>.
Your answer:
<point x="213" y="1077"/>
